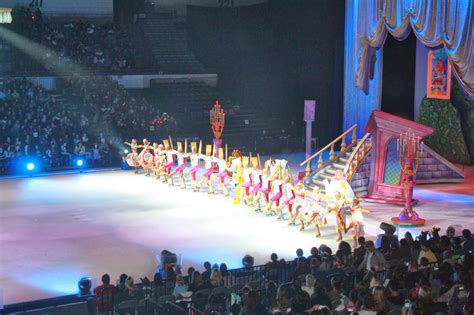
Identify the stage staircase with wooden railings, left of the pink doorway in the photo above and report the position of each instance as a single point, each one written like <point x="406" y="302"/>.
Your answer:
<point x="350" y="155"/>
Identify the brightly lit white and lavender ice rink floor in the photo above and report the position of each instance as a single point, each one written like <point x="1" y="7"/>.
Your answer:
<point x="57" y="229"/>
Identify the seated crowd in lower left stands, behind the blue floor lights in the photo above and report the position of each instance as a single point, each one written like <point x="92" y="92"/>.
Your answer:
<point x="96" y="117"/>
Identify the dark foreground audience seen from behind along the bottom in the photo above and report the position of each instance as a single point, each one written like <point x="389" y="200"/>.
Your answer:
<point x="431" y="274"/>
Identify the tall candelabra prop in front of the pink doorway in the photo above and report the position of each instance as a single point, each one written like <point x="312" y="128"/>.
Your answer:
<point x="410" y="150"/>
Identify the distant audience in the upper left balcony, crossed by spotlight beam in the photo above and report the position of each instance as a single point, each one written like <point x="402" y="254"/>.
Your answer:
<point x="103" y="47"/>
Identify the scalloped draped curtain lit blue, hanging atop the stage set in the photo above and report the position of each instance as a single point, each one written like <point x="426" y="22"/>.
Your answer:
<point x="434" y="22"/>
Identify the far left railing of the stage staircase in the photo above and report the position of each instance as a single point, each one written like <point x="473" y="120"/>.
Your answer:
<point x="332" y="156"/>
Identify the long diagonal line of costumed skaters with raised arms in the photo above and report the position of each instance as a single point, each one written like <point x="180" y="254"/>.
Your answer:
<point x="269" y="189"/>
